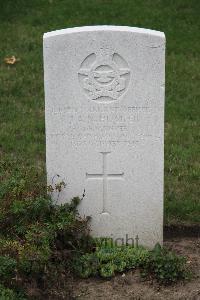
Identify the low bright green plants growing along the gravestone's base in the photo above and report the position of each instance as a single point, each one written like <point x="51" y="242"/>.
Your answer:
<point x="160" y="263"/>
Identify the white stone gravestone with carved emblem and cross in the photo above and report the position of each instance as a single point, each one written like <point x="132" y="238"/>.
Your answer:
<point x="104" y="107"/>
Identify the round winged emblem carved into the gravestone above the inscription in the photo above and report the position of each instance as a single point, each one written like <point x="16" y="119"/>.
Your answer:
<point x="104" y="76"/>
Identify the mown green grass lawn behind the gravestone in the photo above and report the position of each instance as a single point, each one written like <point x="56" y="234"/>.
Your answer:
<point x="22" y="131"/>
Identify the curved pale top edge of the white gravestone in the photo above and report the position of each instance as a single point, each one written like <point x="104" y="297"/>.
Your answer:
<point x="103" y="28"/>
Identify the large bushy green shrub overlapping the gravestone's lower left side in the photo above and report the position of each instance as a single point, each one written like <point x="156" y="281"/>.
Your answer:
<point x="38" y="237"/>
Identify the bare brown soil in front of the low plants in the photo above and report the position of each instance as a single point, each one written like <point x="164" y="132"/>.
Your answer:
<point x="130" y="286"/>
